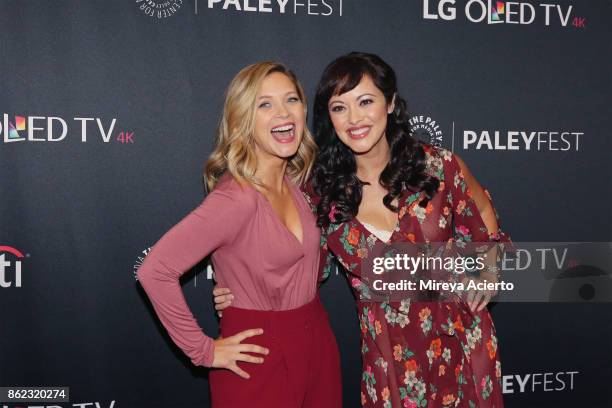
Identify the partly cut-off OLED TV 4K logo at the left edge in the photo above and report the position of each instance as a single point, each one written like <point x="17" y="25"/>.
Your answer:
<point x="55" y="129"/>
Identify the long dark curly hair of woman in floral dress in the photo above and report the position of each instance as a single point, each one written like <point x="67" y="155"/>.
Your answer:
<point x="334" y="176"/>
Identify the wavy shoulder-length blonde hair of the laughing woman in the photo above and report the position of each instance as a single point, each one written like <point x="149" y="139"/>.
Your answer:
<point x="234" y="146"/>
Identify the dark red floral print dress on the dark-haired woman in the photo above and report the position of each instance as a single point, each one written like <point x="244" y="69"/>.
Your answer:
<point x="422" y="353"/>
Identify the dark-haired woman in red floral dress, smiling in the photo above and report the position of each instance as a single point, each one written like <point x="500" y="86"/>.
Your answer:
<point x="373" y="183"/>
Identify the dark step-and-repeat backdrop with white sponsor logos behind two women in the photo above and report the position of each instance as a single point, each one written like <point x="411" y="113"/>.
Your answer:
<point x="108" y="112"/>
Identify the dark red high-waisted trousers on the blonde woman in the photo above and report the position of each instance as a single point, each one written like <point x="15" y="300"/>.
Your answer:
<point x="301" y="371"/>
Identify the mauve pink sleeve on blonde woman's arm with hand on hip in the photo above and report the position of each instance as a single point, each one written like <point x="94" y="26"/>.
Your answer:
<point x="214" y="223"/>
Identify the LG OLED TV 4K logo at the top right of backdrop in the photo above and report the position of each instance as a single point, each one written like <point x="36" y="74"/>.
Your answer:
<point x="498" y="12"/>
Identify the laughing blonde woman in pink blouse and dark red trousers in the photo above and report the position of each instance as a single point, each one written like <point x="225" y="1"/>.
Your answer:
<point x="276" y="347"/>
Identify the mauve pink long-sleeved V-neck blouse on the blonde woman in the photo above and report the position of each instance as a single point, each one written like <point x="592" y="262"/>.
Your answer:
<point x="253" y="253"/>
